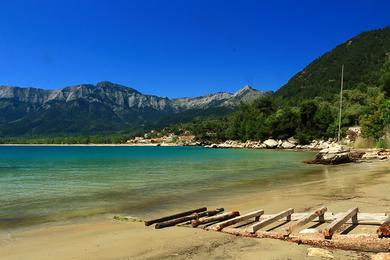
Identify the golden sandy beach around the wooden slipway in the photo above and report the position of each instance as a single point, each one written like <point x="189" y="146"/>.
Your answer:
<point x="363" y="185"/>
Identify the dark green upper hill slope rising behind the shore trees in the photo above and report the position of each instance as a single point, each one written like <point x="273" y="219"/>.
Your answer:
<point x="363" y="57"/>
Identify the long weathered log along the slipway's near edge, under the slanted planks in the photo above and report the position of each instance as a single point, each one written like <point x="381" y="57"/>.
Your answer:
<point x="363" y="242"/>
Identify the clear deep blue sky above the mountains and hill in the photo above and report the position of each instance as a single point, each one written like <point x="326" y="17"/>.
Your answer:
<point x="174" y="48"/>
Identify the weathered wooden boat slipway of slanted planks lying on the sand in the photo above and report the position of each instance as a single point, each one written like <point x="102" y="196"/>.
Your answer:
<point x="318" y="228"/>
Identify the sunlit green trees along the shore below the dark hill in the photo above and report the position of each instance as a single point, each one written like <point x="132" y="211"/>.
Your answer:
<point x="365" y="105"/>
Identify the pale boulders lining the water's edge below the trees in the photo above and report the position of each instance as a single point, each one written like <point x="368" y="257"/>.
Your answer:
<point x="329" y="152"/>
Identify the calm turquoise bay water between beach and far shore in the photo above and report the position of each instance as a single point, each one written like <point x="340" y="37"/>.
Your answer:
<point x="43" y="184"/>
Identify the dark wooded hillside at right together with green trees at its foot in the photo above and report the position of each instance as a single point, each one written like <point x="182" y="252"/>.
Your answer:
<point x="307" y="106"/>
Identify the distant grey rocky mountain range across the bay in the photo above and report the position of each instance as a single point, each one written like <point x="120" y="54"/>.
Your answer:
<point x="104" y="107"/>
